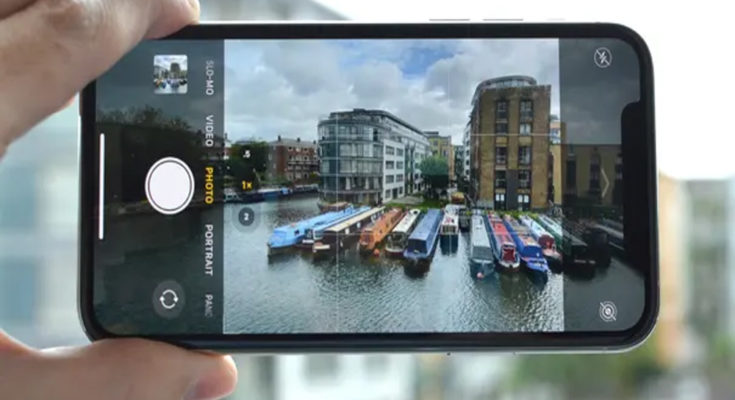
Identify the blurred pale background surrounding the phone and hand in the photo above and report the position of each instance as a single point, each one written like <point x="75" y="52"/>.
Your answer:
<point x="691" y="354"/>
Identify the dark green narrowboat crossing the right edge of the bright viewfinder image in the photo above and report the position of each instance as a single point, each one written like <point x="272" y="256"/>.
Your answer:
<point x="575" y="253"/>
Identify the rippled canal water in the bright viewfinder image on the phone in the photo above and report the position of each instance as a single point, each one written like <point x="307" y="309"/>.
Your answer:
<point x="294" y="293"/>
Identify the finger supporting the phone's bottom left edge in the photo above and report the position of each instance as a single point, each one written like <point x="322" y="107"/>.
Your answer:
<point x="120" y="369"/>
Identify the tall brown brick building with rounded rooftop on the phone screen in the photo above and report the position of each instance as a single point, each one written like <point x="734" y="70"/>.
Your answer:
<point x="509" y="142"/>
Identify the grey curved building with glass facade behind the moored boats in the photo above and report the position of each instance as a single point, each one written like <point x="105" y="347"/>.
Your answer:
<point x="369" y="157"/>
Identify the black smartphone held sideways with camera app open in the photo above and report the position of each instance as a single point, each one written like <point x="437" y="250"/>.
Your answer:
<point x="373" y="187"/>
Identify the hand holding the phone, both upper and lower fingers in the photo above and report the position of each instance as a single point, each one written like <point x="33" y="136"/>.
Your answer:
<point x="49" y="49"/>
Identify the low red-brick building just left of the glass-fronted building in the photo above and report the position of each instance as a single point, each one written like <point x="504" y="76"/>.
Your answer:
<point x="293" y="159"/>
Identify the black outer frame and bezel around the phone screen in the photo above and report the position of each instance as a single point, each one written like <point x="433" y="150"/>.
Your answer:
<point x="640" y="210"/>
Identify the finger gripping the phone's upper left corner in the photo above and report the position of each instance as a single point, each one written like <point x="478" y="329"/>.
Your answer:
<point x="52" y="48"/>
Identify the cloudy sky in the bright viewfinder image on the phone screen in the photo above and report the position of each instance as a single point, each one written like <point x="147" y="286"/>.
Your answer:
<point x="285" y="87"/>
